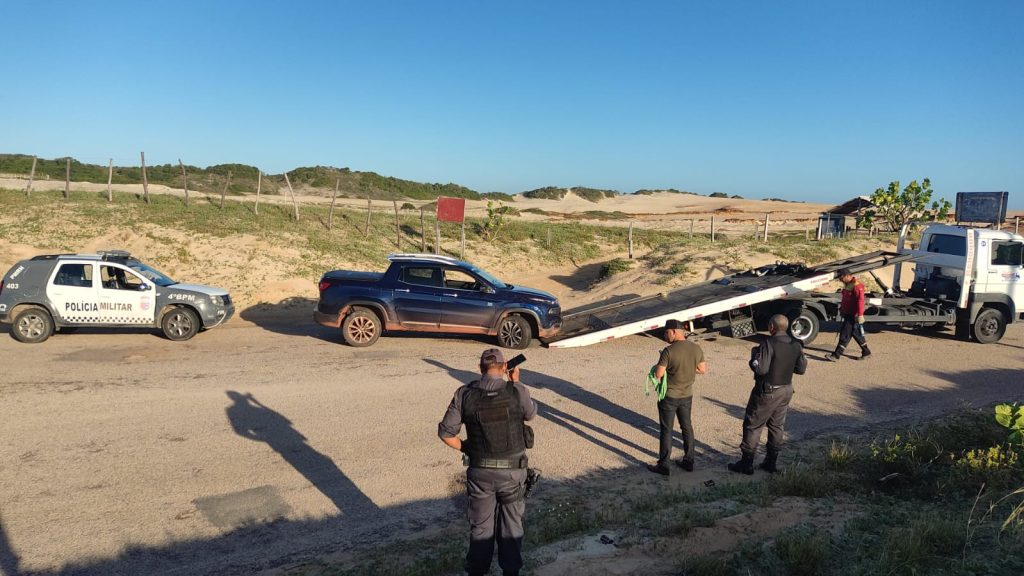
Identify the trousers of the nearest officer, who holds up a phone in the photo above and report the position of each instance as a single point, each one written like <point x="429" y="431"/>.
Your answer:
<point x="496" y="509"/>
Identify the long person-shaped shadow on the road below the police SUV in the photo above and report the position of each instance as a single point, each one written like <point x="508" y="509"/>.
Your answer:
<point x="255" y="422"/>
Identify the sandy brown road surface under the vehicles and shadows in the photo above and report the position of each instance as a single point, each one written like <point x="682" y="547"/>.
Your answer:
<point x="269" y="442"/>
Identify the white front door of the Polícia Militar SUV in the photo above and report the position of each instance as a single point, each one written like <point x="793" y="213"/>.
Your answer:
<point x="125" y="298"/>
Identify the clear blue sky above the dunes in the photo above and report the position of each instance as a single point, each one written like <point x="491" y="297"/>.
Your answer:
<point x="803" y="100"/>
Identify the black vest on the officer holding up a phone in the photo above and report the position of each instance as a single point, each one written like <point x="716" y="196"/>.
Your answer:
<point x="494" y="423"/>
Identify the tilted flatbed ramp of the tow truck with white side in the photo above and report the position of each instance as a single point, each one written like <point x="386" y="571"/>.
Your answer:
<point x="590" y="325"/>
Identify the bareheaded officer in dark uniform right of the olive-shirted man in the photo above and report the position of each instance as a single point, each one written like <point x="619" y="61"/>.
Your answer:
<point x="774" y="362"/>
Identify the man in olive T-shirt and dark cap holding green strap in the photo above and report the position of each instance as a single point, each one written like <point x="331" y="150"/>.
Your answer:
<point x="681" y="361"/>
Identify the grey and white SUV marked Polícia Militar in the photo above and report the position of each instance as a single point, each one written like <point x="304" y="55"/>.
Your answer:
<point x="108" y="290"/>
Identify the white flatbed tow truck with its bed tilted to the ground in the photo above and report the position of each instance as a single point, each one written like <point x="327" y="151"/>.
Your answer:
<point x="966" y="278"/>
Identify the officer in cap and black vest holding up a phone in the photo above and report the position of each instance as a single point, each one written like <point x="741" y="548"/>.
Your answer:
<point x="495" y="413"/>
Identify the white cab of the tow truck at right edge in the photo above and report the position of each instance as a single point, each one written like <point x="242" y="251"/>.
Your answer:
<point x="979" y="269"/>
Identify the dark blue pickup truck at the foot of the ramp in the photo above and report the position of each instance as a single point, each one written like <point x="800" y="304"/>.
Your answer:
<point x="431" y="294"/>
